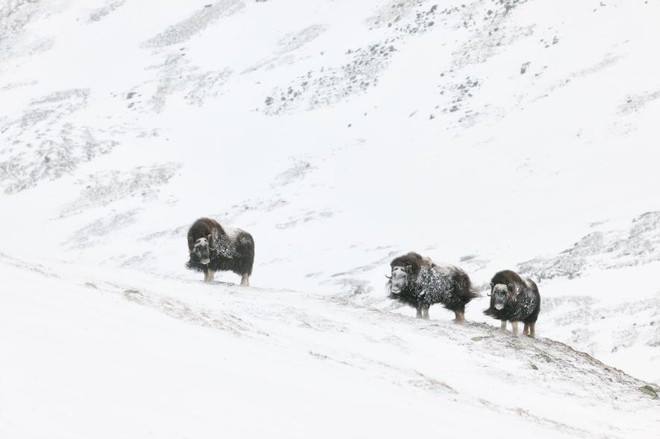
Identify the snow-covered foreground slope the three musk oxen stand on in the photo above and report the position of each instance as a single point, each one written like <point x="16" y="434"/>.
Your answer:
<point x="134" y="355"/>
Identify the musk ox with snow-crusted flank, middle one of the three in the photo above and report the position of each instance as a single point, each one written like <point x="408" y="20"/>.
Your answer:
<point x="420" y="283"/>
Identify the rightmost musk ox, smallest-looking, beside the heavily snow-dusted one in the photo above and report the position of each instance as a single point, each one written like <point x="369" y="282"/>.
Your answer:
<point x="516" y="300"/>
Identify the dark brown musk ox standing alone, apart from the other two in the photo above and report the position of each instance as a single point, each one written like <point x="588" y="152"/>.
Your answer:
<point x="212" y="248"/>
